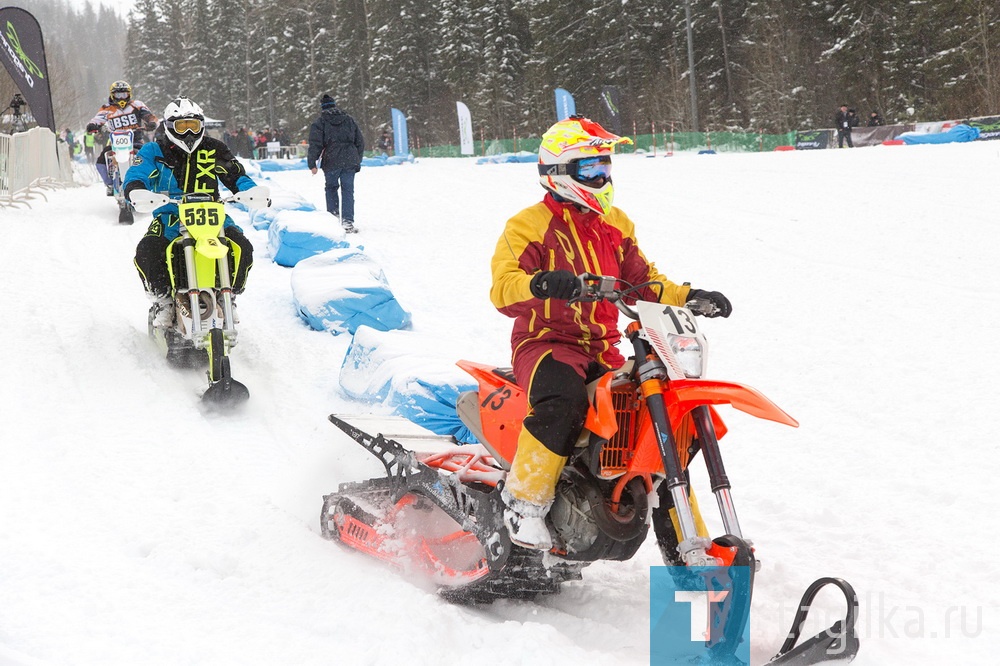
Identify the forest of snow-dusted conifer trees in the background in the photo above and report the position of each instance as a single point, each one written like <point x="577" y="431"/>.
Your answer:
<point x="771" y="65"/>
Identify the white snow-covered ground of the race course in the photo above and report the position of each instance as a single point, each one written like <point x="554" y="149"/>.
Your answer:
<point x="135" y="529"/>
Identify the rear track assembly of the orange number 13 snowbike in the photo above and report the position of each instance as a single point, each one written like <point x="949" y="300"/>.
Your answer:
<point x="359" y="513"/>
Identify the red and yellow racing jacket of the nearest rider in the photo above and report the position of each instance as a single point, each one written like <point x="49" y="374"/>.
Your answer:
<point x="555" y="236"/>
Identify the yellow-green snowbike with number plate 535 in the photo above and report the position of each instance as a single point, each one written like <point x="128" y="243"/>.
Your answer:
<point x="204" y="326"/>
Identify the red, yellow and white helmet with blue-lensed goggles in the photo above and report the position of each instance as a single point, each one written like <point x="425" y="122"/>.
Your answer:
<point x="574" y="162"/>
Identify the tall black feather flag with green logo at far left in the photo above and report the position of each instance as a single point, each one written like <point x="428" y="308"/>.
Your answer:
<point x="23" y="54"/>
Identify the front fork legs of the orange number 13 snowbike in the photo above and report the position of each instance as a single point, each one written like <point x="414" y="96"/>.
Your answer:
<point x="693" y="548"/>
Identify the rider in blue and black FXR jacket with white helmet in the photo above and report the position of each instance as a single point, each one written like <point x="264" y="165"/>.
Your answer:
<point x="184" y="160"/>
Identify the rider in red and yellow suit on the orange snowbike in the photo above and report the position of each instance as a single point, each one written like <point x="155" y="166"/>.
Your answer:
<point x="558" y="347"/>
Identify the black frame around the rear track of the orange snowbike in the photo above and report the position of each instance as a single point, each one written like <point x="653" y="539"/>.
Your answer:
<point x="514" y="572"/>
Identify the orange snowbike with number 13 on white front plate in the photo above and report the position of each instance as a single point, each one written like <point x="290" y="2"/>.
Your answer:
<point x="440" y="513"/>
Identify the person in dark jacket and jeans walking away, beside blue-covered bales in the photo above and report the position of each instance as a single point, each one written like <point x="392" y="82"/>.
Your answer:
<point x="336" y="141"/>
